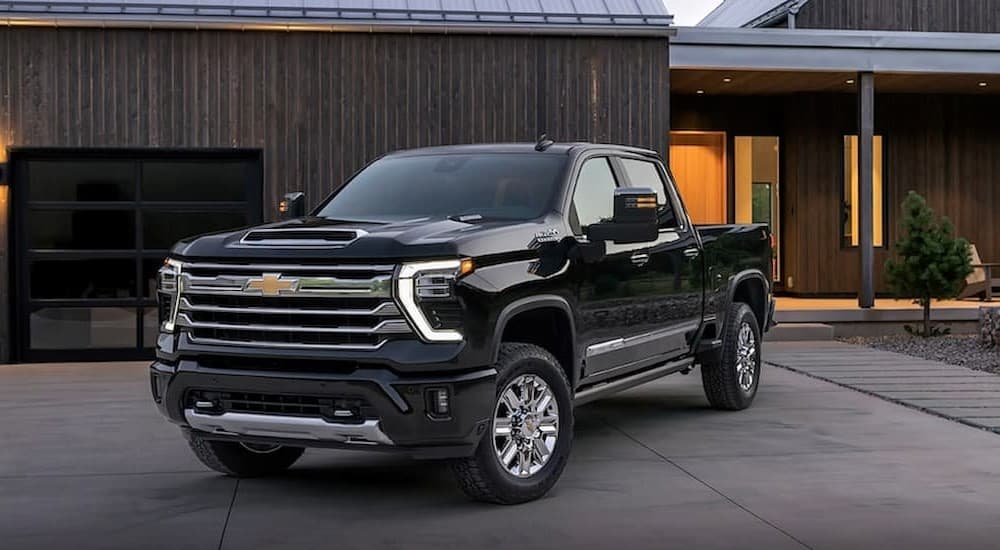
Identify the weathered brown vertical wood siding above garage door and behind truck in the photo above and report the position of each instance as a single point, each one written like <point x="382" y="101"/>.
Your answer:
<point x="321" y="105"/>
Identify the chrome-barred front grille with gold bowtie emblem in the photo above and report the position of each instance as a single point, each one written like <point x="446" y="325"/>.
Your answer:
<point x="345" y="306"/>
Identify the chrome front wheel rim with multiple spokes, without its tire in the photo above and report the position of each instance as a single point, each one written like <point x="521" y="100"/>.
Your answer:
<point x="525" y="425"/>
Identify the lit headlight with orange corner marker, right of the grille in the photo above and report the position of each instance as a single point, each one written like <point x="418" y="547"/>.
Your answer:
<point x="426" y="290"/>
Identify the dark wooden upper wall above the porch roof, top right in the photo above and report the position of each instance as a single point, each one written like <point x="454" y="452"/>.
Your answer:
<point x="902" y="15"/>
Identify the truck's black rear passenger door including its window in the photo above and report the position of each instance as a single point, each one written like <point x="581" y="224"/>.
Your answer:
<point x="670" y="288"/>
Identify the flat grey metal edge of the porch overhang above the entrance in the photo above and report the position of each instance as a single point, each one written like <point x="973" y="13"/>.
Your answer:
<point x="835" y="51"/>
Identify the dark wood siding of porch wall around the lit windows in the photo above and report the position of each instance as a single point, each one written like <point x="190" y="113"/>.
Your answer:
<point x="945" y="147"/>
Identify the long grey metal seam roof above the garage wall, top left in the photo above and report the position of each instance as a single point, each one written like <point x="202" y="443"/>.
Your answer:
<point x="577" y="16"/>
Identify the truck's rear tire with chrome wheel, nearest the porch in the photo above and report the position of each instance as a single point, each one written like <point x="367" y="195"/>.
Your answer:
<point x="726" y="384"/>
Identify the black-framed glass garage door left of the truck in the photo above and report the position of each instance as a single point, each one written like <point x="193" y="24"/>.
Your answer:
<point x="91" y="229"/>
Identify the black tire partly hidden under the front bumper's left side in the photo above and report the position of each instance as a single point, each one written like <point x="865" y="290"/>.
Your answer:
<point x="243" y="460"/>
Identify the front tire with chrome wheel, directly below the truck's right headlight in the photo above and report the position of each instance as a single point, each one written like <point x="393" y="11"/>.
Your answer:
<point x="520" y="368"/>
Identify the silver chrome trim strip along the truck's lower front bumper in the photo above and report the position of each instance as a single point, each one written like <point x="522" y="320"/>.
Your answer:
<point x="288" y="427"/>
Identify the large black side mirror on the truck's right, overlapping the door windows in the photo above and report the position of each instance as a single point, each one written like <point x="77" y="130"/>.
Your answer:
<point x="634" y="220"/>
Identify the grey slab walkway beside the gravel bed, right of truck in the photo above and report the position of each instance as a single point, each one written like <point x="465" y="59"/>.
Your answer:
<point x="965" y="395"/>
